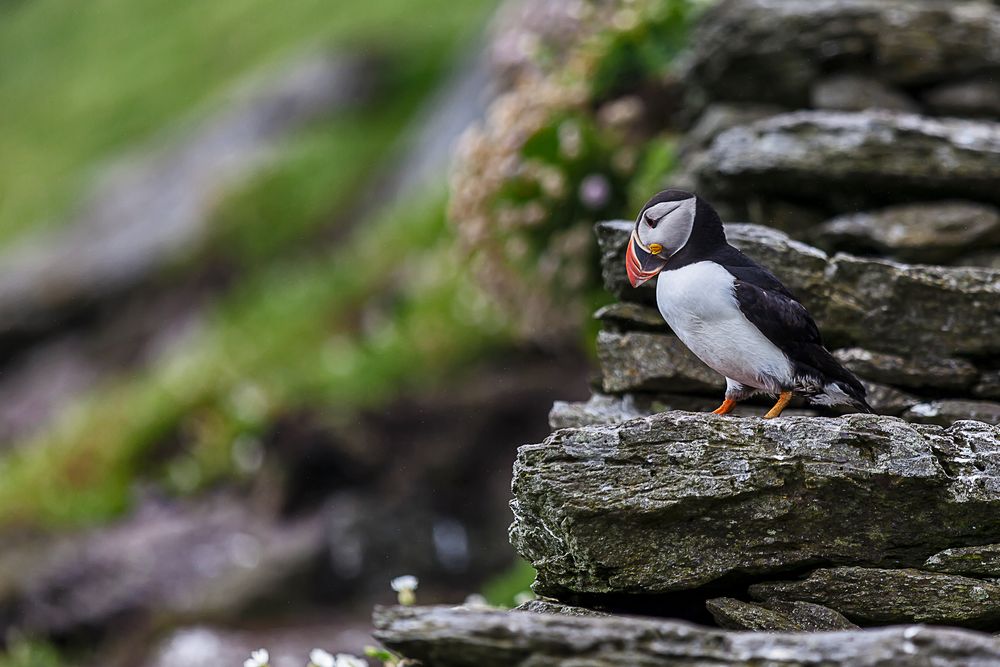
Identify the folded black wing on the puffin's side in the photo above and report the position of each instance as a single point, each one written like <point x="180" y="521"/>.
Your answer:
<point x="782" y="319"/>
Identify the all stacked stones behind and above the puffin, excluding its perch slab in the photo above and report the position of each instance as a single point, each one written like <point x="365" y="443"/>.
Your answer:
<point x="834" y="122"/>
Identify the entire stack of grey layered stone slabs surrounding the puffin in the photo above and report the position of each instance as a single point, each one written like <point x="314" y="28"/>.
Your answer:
<point x="833" y="125"/>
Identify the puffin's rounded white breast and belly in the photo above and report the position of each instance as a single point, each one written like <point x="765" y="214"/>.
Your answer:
<point x="699" y="304"/>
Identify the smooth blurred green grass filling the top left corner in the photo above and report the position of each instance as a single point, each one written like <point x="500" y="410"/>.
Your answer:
<point x="82" y="82"/>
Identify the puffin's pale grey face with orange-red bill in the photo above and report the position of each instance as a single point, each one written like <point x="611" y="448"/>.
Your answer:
<point x="663" y="227"/>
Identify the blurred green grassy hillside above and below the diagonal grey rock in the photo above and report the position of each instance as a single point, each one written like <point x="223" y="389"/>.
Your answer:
<point x="83" y="83"/>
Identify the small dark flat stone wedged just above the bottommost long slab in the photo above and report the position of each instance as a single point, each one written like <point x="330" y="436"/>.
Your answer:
<point x="733" y="614"/>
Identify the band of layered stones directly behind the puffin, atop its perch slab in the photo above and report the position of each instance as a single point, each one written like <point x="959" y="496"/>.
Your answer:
<point x="924" y="339"/>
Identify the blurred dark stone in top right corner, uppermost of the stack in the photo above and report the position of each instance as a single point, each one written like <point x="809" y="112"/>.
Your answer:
<point x="766" y="51"/>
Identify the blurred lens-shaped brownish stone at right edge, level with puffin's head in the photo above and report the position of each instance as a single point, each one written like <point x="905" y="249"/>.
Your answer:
<point x="927" y="232"/>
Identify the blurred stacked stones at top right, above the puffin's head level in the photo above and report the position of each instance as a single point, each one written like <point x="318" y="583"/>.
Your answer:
<point x="860" y="125"/>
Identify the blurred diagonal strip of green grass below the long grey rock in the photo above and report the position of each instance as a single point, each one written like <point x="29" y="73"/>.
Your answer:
<point x="287" y="338"/>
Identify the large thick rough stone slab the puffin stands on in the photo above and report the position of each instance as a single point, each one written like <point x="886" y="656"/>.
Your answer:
<point x="678" y="500"/>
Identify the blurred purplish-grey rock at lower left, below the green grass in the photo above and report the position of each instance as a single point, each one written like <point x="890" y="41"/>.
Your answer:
<point x="207" y="560"/>
